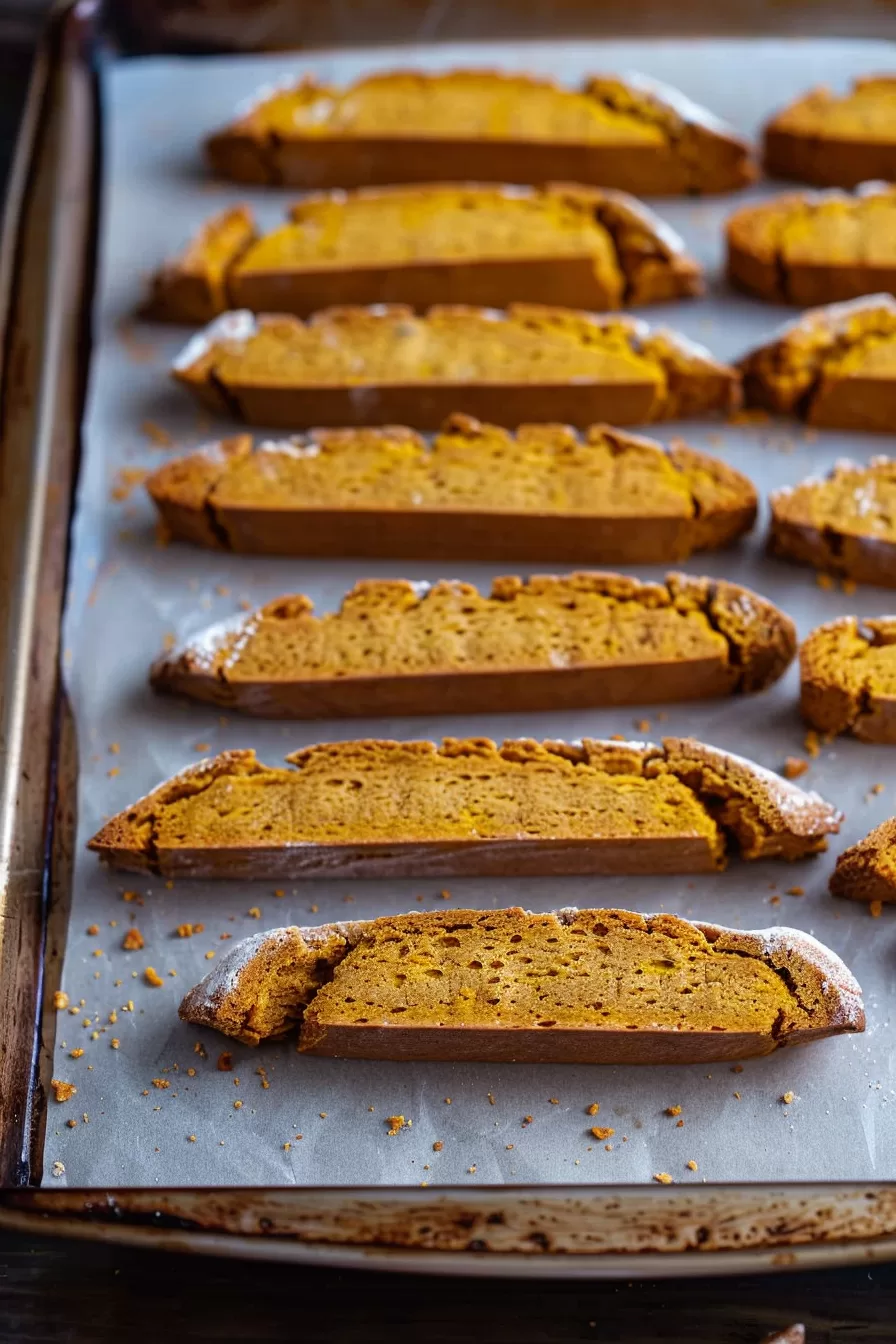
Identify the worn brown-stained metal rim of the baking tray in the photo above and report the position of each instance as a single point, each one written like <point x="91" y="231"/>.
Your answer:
<point x="815" y="1225"/>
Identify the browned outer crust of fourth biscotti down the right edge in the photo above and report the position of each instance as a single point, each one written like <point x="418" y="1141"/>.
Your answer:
<point x="795" y="536"/>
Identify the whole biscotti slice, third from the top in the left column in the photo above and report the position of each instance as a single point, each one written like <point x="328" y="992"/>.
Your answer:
<point x="385" y="365"/>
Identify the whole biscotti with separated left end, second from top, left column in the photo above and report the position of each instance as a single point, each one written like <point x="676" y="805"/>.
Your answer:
<point x="455" y="244"/>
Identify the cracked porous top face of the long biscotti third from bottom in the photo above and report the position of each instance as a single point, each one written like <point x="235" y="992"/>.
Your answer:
<point x="396" y="627"/>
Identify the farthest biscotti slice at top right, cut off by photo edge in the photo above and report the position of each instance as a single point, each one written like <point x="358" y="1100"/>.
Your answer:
<point x="836" y="140"/>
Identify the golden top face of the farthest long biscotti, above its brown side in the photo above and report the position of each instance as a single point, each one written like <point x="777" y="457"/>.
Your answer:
<point x="492" y="107"/>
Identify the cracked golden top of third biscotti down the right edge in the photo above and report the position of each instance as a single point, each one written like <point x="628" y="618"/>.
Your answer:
<point x="821" y="347"/>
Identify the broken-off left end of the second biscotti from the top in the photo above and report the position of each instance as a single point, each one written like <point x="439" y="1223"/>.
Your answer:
<point x="194" y="287"/>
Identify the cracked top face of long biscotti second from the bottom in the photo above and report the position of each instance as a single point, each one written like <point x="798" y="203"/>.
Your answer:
<point x="471" y="790"/>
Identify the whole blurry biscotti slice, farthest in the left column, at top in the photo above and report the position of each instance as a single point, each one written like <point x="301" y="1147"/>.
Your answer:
<point x="483" y="126"/>
